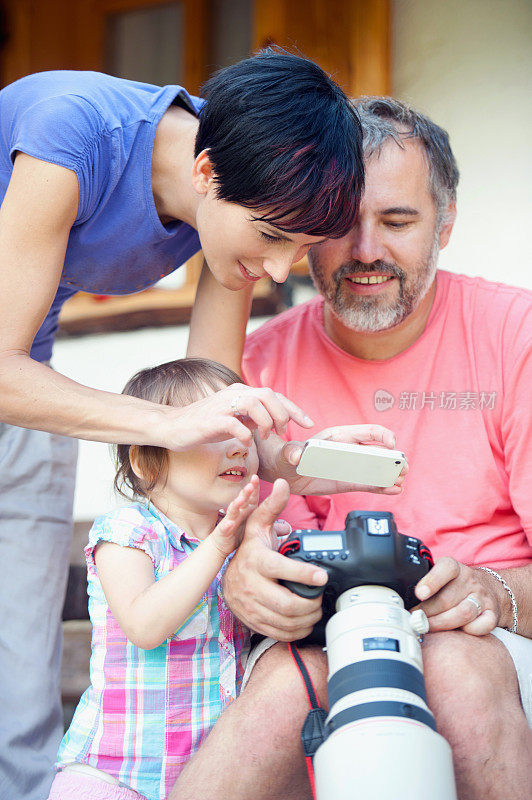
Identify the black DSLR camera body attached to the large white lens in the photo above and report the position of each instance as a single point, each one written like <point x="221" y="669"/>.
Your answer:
<point x="369" y="551"/>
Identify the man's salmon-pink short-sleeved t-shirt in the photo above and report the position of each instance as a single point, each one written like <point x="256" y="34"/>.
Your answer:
<point x="459" y="401"/>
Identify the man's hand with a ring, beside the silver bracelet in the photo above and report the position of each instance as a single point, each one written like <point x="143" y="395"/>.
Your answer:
<point x="456" y="596"/>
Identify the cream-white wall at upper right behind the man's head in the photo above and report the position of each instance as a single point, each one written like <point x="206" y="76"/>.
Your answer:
<point x="468" y="65"/>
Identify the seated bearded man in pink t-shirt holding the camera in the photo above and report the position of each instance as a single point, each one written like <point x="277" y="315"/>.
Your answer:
<point x="445" y="361"/>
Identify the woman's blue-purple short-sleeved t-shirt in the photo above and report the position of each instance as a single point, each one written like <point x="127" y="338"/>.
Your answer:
<point x="102" y="128"/>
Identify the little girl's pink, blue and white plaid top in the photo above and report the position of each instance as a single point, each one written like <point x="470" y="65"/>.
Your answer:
<point x="147" y="711"/>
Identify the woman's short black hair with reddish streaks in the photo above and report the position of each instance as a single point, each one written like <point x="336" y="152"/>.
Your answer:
<point x="284" y="139"/>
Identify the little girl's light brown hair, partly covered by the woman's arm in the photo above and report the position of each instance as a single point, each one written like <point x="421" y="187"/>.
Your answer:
<point x="176" y="383"/>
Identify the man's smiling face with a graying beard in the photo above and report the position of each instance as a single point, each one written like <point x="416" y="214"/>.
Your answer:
<point x="377" y="275"/>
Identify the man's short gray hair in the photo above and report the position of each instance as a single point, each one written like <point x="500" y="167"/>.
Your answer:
<point x="384" y="117"/>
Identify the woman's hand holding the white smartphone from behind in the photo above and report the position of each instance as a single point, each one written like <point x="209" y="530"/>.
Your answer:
<point x="283" y="457"/>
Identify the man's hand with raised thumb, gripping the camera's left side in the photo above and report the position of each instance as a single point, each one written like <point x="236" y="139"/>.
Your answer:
<point x="250" y="585"/>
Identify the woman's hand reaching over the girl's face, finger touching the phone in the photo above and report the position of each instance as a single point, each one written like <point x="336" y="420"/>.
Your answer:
<point x="234" y="412"/>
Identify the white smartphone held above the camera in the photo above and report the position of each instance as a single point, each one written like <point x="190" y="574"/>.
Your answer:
<point x="352" y="463"/>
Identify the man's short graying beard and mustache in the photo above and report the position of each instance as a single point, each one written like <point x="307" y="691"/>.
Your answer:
<point x="370" y="314"/>
